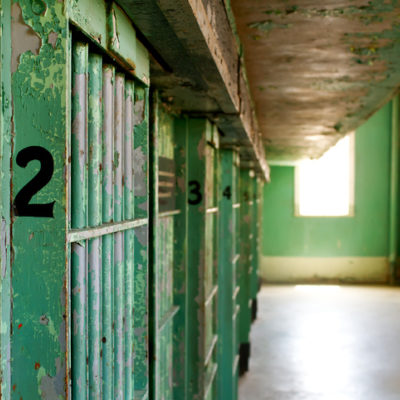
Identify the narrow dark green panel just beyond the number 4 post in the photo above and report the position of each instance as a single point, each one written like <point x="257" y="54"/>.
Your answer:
<point x="245" y="266"/>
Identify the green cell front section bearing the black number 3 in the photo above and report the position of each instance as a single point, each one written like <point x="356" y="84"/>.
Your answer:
<point x="203" y="176"/>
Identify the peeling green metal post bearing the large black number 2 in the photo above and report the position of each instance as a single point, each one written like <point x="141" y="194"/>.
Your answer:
<point x="39" y="67"/>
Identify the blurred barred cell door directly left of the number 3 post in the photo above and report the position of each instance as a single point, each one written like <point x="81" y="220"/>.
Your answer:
<point x="168" y="243"/>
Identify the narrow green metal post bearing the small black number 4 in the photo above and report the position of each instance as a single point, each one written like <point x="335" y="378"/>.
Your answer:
<point x="228" y="259"/>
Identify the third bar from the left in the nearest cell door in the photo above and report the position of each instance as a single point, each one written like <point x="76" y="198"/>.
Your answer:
<point x="107" y="216"/>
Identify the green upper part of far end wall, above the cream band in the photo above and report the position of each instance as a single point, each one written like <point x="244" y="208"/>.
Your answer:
<point x="365" y="234"/>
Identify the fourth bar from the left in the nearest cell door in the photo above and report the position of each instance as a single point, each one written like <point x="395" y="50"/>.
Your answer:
<point x="118" y="239"/>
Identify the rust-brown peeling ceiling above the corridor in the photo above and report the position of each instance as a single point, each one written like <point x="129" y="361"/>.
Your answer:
<point x="317" y="69"/>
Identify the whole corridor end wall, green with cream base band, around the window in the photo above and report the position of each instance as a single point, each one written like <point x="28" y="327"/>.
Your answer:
<point x="350" y="249"/>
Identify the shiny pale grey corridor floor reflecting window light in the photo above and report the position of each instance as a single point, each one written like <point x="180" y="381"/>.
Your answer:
<point x="325" y="343"/>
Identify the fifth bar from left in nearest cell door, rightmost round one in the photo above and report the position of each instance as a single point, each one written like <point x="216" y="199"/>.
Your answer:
<point x="128" y="214"/>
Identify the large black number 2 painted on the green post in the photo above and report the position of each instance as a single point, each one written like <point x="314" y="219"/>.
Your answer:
<point x="22" y="207"/>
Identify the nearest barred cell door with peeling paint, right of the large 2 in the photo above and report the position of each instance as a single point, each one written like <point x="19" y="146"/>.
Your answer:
<point x="108" y="229"/>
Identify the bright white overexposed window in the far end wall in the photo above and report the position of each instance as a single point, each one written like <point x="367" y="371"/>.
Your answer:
<point x="325" y="187"/>
